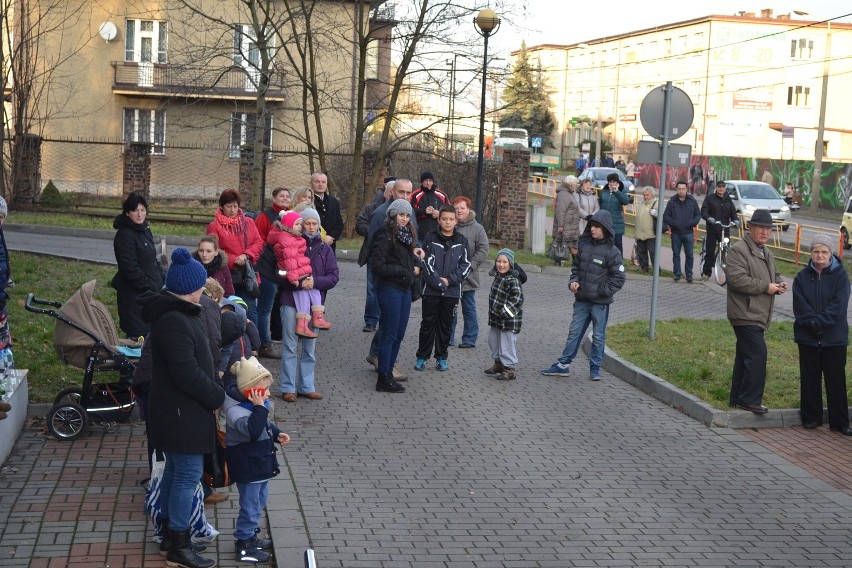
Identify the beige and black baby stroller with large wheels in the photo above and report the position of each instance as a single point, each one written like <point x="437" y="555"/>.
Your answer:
<point x="86" y="338"/>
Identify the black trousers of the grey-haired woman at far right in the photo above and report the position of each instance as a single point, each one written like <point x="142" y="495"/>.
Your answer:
<point x="816" y="364"/>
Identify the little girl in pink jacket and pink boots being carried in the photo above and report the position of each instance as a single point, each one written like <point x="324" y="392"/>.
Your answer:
<point x="290" y="248"/>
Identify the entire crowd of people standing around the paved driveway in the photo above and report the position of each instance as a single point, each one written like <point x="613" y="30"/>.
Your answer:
<point x="213" y="311"/>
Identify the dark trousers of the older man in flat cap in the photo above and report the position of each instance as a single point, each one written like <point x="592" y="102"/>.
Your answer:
<point x="749" y="376"/>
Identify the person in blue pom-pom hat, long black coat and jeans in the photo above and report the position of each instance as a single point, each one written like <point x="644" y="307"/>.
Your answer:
<point x="184" y="393"/>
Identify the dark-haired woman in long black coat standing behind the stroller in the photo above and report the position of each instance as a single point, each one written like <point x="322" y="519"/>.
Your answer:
<point x="138" y="268"/>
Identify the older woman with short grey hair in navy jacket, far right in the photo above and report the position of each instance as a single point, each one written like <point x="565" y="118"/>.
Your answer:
<point x="820" y="302"/>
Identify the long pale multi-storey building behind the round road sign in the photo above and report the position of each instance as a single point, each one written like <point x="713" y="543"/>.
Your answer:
<point x="754" y="80"/>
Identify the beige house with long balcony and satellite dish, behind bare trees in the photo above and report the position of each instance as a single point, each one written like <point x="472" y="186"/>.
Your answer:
<point x="184" y="77"/>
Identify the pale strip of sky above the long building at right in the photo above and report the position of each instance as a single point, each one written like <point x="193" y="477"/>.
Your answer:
<point x="564" y="21"/>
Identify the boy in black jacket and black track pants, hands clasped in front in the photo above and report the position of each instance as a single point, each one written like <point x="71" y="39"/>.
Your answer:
<point x="447" y="266"/>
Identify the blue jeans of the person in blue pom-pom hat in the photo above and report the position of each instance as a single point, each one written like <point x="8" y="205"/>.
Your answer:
<point x="180" y="478"/>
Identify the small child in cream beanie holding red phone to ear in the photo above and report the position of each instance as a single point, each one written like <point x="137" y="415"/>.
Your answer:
<point x="250" y="453"/>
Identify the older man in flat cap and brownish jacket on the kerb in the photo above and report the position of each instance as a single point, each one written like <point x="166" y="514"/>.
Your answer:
<point x="753" y="284"/>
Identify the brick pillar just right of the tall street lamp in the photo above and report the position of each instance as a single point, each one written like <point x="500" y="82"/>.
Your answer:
<point x="512" y="190"/>
